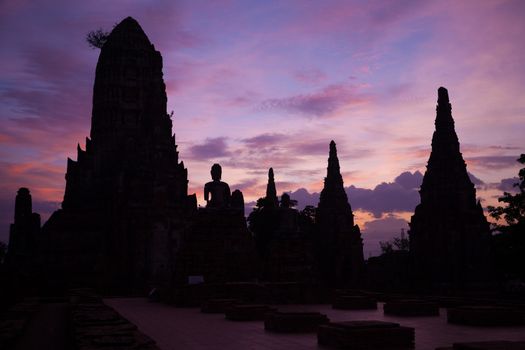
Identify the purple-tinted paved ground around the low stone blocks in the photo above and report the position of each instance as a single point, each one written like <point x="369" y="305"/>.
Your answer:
<point x="187" y="328"/>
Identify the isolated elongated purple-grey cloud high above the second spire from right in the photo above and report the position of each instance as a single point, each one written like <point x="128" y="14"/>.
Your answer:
<point x="319" y="103"/>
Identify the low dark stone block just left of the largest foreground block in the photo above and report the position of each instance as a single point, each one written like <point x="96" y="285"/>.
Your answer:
<point x="294" y="322"/>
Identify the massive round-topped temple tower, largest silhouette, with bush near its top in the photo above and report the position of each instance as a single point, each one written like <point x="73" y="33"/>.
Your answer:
<point x="126" y="202"/>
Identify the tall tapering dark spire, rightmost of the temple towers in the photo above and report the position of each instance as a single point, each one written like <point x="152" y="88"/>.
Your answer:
<point x="448" y="231"/>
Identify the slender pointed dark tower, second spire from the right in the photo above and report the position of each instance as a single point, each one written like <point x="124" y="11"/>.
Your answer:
<point x="339" y="239"/>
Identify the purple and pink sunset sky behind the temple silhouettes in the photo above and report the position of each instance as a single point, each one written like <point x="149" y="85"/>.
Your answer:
<point x="259" y="84"/>
